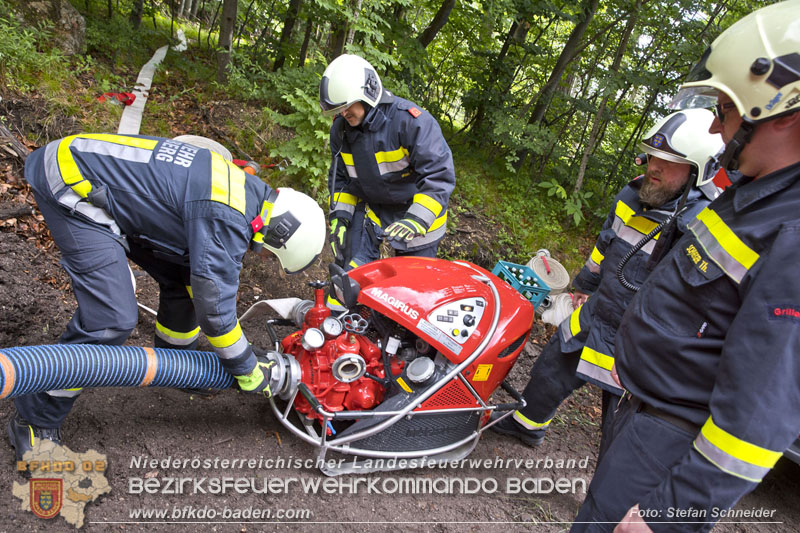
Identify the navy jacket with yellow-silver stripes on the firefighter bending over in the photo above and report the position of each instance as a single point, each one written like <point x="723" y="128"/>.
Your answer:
<point x="186" y="204"/>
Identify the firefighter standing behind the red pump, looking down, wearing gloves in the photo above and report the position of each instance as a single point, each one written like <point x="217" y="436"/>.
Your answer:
<point x="392" y="172"/>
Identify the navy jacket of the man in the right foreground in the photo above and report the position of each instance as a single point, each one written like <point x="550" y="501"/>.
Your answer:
<point x="713" y="337"/>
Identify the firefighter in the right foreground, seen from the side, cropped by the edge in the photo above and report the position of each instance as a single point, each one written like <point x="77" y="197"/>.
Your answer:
<point x="708" y="348"/>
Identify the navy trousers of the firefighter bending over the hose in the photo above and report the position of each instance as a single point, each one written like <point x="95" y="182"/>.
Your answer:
<point x="96" y="260"/>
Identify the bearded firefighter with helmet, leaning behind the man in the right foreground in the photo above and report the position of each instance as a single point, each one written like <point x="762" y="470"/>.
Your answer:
<point x="680" y="154"/>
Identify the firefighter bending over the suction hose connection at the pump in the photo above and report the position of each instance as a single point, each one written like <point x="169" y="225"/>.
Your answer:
<point x="186" y="215"/>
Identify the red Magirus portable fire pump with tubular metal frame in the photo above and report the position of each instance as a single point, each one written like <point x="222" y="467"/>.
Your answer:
<point x="408" y="371"/>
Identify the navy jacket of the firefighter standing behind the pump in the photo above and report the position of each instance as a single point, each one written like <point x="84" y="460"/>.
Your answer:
<point x="396" y="161"/>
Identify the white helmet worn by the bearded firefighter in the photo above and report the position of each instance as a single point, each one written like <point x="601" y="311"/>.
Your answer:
<point x="683" y="137"/>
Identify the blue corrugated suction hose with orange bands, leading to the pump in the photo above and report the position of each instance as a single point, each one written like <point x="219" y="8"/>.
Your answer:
<point x="28" y="369"/>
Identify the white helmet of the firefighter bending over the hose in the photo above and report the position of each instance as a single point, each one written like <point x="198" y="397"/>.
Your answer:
<point x="296" y="231"/>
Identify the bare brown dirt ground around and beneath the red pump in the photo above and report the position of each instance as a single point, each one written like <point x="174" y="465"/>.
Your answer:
<point x="128" y="424"/>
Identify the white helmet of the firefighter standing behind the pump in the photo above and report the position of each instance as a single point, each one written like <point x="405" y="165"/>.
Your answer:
<point x="346" y="80"/>
